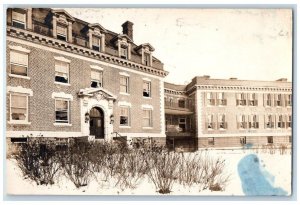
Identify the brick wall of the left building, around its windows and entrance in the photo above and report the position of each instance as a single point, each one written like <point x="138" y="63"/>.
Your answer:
<point x="42" y="107"/>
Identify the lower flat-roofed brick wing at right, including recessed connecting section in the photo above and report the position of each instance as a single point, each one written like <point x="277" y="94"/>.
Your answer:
<point x="229" y="113"/>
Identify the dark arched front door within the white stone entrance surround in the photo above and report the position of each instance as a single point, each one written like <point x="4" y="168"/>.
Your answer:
<point x="97" y="123"/>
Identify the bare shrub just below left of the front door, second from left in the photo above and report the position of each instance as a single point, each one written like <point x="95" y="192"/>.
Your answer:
<point x="77" y="164"/>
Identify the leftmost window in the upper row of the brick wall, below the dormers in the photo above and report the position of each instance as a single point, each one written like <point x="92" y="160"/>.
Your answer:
<point x="18" y="63"/>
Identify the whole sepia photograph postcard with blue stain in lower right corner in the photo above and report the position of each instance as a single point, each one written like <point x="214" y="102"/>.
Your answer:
<point x="148" y="101"/>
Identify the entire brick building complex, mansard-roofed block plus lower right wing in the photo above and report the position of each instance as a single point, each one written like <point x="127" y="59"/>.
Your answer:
<point x="70" y="78"/>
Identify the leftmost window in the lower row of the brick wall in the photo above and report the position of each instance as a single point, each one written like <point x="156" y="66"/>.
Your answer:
<point x="18" y="107"/>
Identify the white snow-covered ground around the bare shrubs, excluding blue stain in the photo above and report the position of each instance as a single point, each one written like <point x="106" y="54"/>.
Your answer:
<point x="276" y="165"/>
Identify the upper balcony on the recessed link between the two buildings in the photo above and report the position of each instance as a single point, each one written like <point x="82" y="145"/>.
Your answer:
<point x="178" y="108"/>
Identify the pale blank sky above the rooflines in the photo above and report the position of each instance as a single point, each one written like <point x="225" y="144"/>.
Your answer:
<point x="247" y="44"/>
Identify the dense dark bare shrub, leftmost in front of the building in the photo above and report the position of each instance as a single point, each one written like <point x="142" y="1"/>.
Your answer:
<point x="38" y="161"/>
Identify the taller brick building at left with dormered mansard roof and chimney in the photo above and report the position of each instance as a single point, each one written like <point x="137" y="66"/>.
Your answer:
<point x="70" y="78"/>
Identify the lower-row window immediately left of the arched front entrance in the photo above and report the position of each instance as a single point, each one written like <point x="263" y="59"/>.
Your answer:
<point x="61" y="111"/>
